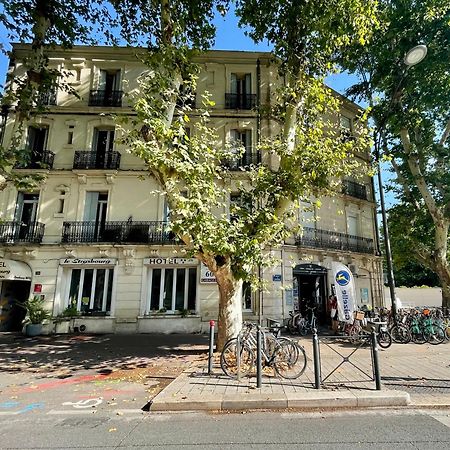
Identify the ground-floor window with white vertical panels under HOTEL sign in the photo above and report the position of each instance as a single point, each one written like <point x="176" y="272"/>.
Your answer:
<point x="172" y="289"/>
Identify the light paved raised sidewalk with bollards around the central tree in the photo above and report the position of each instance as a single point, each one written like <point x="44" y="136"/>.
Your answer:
<point x="413" y="375"/>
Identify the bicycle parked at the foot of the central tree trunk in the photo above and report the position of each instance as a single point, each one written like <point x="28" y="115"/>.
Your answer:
<point x="286" y="357"/>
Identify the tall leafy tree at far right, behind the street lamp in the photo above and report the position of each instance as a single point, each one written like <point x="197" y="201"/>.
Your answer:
<point x="411" y="111"/>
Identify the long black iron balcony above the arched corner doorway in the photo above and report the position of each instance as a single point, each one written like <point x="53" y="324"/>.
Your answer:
<point x="333" y="240"/>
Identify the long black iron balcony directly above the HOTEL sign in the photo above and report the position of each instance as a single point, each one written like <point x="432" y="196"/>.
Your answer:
<point x="124" y="232"/>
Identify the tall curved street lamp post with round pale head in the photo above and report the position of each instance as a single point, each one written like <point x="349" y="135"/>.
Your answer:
<point x="414" y="56"/>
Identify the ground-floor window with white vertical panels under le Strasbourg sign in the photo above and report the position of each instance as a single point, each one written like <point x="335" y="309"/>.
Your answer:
<point x="91" y="290"/>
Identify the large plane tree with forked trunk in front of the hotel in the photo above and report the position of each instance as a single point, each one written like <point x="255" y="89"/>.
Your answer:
<point x="189" y="169"/>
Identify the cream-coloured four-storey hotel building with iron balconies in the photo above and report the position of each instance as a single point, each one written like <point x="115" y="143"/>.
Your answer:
<point x="94" y="234"/>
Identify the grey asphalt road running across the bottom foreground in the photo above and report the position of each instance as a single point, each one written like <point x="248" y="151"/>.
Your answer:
<point x="392" y="429"/>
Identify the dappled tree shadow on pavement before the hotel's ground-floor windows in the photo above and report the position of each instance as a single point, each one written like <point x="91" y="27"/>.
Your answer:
<point x="63" y="355"/>
